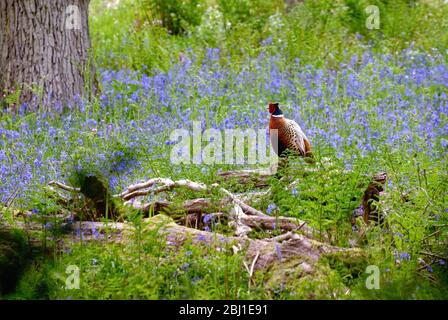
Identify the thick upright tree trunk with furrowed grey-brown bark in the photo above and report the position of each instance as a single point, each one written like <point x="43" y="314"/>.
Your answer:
<point x="44" y="51"/>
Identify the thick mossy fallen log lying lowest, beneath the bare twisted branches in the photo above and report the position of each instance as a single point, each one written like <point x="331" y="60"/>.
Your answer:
<point x="275" y="256"/>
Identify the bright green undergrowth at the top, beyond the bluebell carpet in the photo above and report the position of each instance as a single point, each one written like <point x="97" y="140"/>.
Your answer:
<point x="317" y="32"/>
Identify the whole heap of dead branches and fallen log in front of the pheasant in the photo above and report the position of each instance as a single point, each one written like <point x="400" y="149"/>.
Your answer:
<point x="285" y="238"/>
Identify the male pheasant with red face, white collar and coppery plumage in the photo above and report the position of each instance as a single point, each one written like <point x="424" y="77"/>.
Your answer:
<point x="288" y="134"/>
